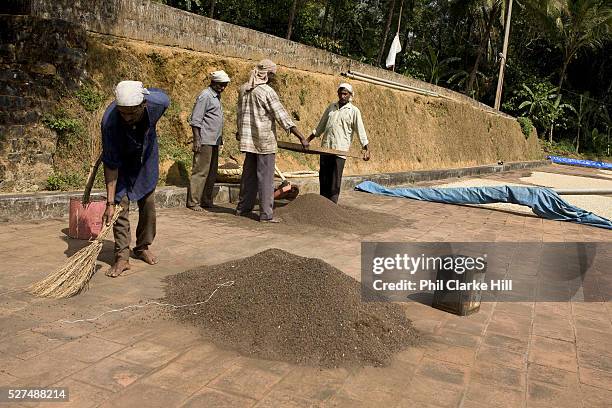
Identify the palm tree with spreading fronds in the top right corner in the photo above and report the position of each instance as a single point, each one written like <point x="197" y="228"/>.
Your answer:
<point x="574" y="25"/>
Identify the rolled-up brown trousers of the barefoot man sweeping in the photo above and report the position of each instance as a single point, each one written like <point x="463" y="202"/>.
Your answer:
<point x="145" y="231"/>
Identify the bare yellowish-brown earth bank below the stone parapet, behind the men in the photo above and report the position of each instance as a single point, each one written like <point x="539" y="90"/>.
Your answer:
<point x="406" y="131"/>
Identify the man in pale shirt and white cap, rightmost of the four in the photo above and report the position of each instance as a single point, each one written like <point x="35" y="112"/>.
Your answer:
<point x="338" y="124"/>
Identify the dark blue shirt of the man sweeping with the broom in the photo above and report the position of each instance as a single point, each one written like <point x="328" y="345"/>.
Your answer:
<point x="133" y="150"/>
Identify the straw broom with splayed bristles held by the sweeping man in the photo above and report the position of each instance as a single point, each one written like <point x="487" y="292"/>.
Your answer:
<point x="74" y="275"/>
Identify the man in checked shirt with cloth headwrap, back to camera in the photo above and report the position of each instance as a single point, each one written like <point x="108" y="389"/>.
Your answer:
<point x="259" y="108"/>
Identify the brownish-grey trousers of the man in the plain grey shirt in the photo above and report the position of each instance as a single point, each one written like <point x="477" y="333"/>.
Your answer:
<point x="203" y="176"/>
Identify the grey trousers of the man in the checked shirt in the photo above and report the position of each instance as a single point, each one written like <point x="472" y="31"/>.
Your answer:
<point x="257" y="176"/>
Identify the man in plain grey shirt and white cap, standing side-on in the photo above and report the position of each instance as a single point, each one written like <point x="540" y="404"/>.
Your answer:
<point x="207" y="127"/>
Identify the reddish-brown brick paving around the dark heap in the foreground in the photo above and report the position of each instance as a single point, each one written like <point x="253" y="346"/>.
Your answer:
<point x="521" y="354"/>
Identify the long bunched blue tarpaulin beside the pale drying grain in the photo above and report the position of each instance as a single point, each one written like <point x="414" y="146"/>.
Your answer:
<point x="543" y="202"/>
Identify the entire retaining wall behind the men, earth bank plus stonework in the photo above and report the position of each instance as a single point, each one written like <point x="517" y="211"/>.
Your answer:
<point x="48" y="50"/>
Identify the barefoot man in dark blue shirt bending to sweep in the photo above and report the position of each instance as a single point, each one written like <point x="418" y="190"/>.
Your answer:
<point x="130" y="155"/>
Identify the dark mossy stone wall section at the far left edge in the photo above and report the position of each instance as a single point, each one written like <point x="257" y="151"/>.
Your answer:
<point x="39" y="59"/>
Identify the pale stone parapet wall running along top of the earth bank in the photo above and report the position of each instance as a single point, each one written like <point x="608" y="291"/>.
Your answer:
<point x="160" y="24"/>
